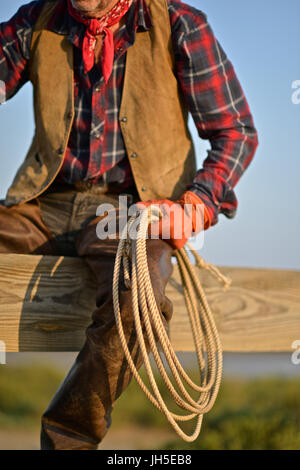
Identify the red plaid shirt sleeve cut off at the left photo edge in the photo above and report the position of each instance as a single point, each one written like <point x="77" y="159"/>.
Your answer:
<point x="15" y="39"/>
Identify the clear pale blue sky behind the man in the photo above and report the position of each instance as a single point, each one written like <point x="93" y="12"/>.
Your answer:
<point x="262" y="39"/>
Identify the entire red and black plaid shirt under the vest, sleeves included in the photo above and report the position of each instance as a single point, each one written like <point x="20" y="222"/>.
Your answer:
<point x="96" y="150"/>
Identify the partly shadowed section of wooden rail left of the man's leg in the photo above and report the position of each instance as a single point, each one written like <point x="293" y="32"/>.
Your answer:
<point x="46" y="302"/>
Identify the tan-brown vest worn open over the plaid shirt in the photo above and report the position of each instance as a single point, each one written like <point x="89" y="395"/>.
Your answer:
<point x="153" y="116"/>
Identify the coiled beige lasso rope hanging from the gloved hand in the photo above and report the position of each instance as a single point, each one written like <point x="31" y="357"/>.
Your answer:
<point x="133" y="255"/>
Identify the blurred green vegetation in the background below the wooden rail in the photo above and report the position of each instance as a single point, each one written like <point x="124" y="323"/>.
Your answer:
<point x="248" y="414"/>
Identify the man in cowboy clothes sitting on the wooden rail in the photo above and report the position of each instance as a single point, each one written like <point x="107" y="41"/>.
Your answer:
<point x="114" y="82"/>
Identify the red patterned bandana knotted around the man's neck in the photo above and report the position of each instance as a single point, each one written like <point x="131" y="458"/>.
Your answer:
<point x="95" y="27"/>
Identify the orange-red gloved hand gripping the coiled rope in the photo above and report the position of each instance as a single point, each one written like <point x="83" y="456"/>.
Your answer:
<point x="180" y="219"/>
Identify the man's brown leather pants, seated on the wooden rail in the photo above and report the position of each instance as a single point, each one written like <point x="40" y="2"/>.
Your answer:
<point x="64" y="223"/>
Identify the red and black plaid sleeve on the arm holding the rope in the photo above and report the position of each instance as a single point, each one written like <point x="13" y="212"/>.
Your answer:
<point x="218" y="106"/>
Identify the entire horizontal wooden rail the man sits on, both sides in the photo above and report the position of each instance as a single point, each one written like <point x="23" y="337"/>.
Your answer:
<point x="46" y="304"/>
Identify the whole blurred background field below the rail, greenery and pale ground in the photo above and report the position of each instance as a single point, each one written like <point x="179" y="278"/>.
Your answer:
<point x="254" y="410"/>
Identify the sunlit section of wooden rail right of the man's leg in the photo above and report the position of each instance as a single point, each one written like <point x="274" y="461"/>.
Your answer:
<point x="260" y="312"/>
